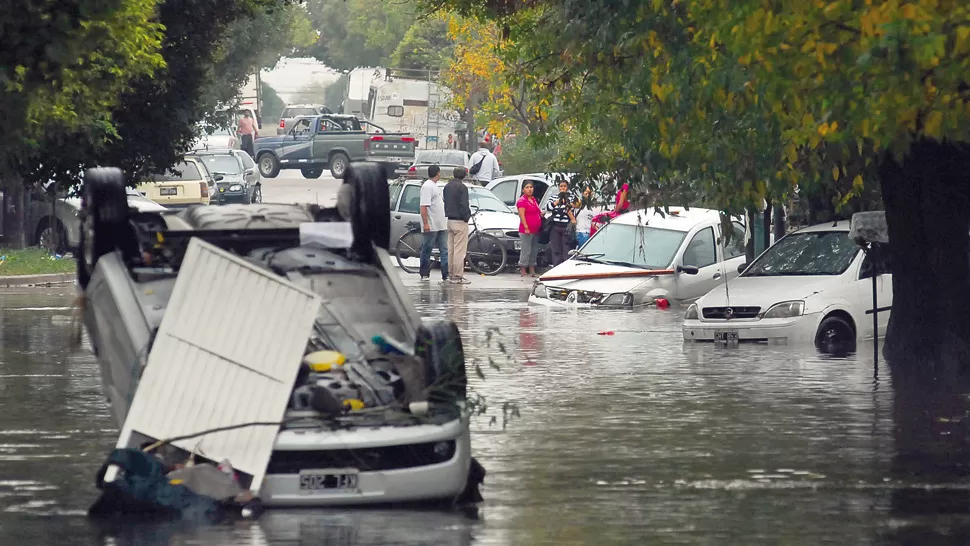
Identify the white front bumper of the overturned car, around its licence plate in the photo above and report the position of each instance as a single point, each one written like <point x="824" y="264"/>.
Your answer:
<point x="430" y="482"/>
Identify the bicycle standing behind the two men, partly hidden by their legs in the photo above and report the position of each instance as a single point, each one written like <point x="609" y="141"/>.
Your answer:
<point x="486" y="253"/>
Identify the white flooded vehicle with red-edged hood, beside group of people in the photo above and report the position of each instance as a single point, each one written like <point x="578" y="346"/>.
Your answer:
<point x="642" y="256"/>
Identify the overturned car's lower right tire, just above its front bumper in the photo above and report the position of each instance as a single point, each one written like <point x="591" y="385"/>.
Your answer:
<point x="439" y="345"/>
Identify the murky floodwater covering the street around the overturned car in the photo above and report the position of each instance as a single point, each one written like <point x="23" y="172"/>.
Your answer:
<point x="629" y="438"/>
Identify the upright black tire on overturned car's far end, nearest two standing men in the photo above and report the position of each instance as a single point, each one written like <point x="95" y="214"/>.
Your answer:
<point x="370" y="214"/>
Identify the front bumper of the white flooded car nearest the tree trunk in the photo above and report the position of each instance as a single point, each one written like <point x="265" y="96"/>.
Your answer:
<point x="784" y="331"/>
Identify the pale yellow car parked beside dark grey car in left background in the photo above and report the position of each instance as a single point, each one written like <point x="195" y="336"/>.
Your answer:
<point x="186" y="183"/>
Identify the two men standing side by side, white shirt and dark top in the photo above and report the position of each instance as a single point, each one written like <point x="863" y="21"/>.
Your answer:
<point x="445" y="213"/>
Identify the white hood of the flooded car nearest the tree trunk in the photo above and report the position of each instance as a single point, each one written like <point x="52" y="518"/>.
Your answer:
<point x="765" y="291"/>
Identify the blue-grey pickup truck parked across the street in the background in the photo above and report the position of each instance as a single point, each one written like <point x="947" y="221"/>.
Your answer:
<point x="332" y="141"/>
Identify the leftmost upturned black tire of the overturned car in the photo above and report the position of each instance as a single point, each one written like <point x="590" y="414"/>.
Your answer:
<point x="104" y="220"/>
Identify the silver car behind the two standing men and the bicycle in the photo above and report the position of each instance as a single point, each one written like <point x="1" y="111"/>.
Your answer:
<point x="494" y="217"/>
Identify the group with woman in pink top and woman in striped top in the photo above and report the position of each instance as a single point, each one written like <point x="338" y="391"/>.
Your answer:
<point x="570" y="222"/>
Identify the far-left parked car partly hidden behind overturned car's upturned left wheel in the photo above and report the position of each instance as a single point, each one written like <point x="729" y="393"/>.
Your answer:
<point x="58" y="230"/>
